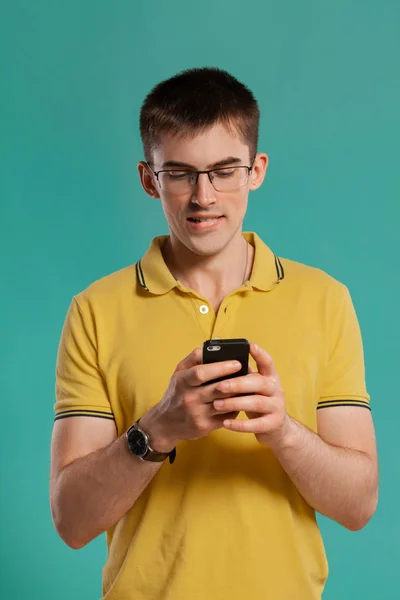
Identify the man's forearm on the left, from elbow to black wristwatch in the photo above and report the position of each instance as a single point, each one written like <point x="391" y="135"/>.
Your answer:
<point x="93" y="492"/>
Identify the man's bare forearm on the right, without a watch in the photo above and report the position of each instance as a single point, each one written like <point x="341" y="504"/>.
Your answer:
<point x="338" y="482"/>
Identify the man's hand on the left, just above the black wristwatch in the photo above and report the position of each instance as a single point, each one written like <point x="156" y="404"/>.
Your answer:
<point x="186" y="410"/>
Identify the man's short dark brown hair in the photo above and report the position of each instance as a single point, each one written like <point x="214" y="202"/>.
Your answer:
<point x="195" y="99"/>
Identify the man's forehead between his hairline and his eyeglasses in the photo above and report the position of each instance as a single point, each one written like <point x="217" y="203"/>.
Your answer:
<point x="202" y="149"/>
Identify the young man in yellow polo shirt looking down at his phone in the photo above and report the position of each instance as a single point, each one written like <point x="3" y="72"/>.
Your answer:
<point x="232" y="515"/>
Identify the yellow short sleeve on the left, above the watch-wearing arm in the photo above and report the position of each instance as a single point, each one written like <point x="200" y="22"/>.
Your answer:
<point x="80" y="387"/>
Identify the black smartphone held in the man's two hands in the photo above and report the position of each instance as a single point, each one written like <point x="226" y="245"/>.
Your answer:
<point x="227" y="349"/>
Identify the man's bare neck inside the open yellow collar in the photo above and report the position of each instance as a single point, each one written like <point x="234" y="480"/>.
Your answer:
<point x="214" y="275"/>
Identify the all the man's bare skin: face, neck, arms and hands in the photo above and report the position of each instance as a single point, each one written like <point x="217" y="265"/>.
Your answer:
<point x="335" y="470"/>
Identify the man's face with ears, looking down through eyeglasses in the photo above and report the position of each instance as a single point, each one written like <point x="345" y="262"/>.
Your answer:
<point x="217" y="146"/>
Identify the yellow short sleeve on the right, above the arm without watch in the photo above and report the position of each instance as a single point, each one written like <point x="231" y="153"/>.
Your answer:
<point x="344" y="382"/>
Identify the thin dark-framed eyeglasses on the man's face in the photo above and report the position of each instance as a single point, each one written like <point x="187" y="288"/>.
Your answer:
<point x="223" y="179"/>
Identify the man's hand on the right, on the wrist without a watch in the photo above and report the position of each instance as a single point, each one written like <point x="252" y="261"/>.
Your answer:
<point x="263" y="401"/>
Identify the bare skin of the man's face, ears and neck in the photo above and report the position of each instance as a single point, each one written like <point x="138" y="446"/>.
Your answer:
<point x="208" y="261"/>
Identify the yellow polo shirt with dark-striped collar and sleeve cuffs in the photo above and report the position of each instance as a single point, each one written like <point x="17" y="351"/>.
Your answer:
<point x="224" y="521"/>
